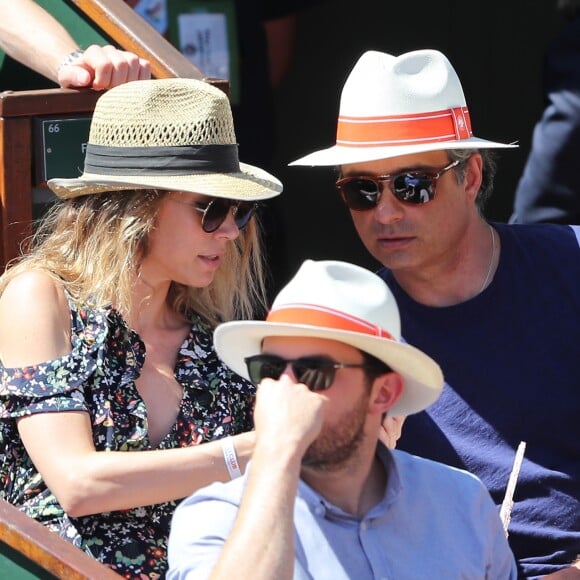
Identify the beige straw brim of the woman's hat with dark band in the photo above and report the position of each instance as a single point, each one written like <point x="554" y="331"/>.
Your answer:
<point x="251" y="183"/>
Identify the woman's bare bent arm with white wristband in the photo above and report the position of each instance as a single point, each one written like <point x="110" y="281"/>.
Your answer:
<point x="86" y="481"/>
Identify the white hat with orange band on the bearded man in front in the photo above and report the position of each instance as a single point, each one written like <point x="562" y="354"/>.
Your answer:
<point x="344" y="302"/>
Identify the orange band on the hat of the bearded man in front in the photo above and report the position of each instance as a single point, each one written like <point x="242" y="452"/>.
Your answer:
<point x="328" y="318"/>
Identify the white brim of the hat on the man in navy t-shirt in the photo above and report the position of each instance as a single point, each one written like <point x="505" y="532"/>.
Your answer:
<point x="342" y="155"/>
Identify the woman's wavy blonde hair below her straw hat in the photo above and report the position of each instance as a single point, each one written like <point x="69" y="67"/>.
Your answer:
<point x="93" y="246"/>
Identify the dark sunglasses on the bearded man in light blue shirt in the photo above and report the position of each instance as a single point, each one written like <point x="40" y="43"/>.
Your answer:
<point x="316" y="372"/>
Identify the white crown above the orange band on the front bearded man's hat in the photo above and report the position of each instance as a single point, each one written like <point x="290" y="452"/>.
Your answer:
<point x="345" y="288"/>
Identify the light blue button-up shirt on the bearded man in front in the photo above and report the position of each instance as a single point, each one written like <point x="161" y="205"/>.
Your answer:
<point x="433" y="522"/>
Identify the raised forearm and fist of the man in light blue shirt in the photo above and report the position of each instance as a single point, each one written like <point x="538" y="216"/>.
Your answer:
<point x="261" y="546"/>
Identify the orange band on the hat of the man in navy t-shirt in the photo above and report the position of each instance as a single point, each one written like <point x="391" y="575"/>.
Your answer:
<point x="447" y="125"/>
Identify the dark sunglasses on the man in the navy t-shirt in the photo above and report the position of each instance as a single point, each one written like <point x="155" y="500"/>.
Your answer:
<point x="363" y="192"/>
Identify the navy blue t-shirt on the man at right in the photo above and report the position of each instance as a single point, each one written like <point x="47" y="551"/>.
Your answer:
<point x="511" y="359"/>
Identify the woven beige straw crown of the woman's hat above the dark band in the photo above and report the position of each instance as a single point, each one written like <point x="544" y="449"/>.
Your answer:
<point x="162" y="113"/>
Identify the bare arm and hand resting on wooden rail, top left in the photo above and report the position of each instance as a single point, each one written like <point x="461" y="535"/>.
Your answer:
<point x="31" y="35"/>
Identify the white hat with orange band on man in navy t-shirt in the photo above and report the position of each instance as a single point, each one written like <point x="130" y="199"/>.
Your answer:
<point x="392" y="106"/>
